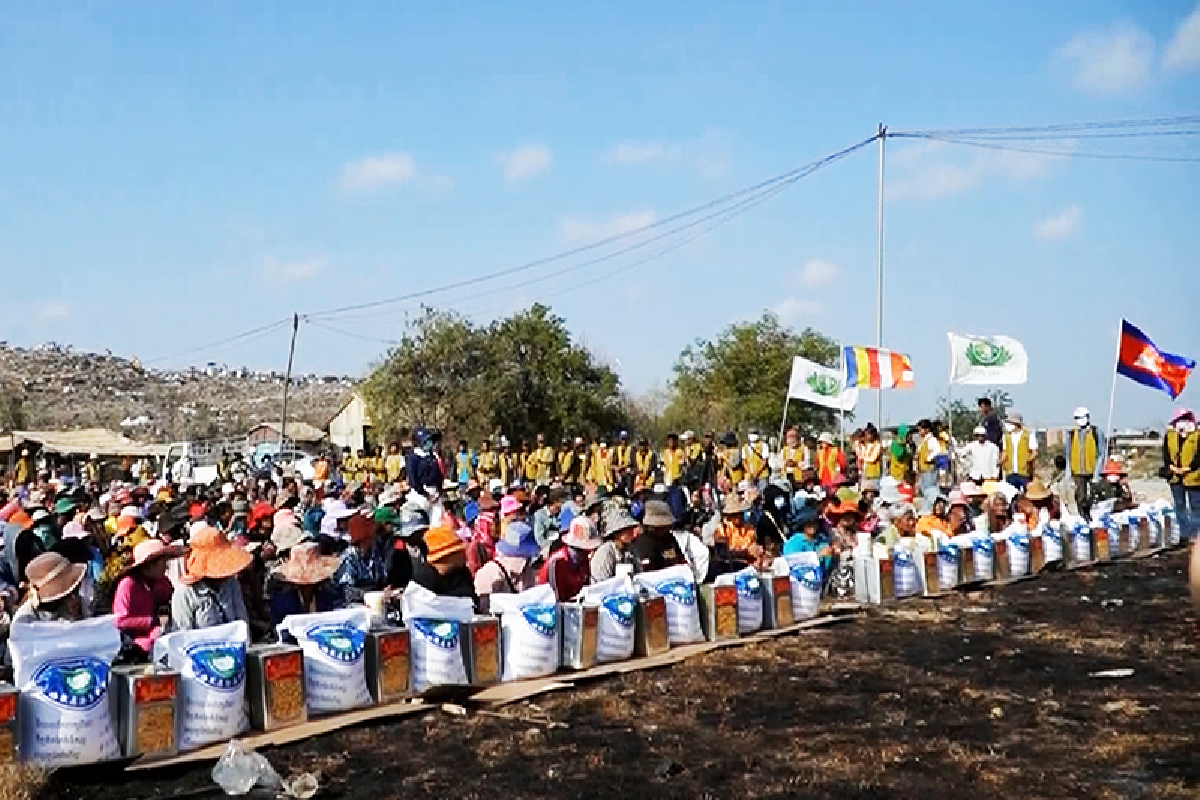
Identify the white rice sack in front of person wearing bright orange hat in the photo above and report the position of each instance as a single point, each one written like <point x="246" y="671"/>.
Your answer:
<point x="435" y="625"/>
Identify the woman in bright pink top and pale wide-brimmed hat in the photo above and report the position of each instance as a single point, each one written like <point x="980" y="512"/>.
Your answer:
<point x="142" y="591"/>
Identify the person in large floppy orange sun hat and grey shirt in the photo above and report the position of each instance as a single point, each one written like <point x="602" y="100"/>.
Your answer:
<point x="209" y="593"/>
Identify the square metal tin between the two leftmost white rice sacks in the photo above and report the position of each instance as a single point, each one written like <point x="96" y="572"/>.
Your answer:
<point x="146" y="705"/>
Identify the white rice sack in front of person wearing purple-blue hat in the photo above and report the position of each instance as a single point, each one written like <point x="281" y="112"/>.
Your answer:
<point x="530" y="633"/>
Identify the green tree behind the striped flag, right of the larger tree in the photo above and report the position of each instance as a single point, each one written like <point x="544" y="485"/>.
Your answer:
<point x="740" y="380"/>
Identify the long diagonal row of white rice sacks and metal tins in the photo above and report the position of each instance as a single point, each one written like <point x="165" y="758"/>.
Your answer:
<point x="73" y="707"/>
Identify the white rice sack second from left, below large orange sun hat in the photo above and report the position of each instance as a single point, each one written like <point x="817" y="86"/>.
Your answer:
<point x="212" y="664"/>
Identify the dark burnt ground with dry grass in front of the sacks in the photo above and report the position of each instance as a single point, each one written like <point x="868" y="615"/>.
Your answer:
<point x="980" y="696"/>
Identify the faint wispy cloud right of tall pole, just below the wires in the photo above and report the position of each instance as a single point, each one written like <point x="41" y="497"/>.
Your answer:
<point x="932" y="171"/>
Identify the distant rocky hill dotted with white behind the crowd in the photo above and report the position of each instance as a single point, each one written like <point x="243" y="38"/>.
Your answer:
<point x="52" y="387"/>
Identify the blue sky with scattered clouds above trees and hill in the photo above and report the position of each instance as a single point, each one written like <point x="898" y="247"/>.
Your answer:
<point x="173" y="175"/>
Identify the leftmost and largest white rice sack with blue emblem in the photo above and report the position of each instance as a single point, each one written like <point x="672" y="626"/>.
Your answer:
<point x="62" y="670"/>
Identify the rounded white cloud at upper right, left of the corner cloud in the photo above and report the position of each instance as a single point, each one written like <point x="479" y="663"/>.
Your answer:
<point x="1109" y="61"/>
